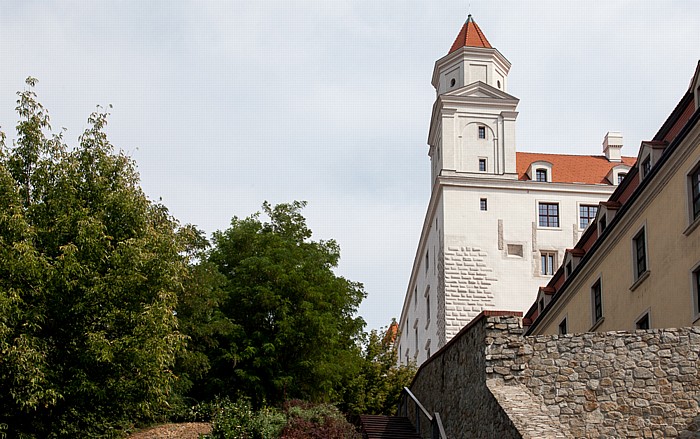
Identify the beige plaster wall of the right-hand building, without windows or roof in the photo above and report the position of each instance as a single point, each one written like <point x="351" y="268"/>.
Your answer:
<point x="666" y="293"/>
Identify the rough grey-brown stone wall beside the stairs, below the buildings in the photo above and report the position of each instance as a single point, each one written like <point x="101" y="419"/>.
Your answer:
<point x="490" y="381"/>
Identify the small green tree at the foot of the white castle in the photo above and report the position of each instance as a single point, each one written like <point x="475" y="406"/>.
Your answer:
<point x="377" y="387"/>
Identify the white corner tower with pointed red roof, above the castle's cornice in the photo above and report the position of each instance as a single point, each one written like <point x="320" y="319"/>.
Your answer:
<point x="472" y="129"/>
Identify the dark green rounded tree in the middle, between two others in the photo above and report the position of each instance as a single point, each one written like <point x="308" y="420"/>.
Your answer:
<point x="297" y="332"/>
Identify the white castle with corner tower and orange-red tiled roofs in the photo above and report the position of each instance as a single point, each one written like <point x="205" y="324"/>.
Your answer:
<point x="498" y="221"/>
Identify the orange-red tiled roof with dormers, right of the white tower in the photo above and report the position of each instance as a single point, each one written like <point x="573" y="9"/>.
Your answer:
<point x="587" y="169"/>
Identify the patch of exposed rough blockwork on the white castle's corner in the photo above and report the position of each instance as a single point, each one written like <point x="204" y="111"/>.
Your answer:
<point x="467" y="287"/>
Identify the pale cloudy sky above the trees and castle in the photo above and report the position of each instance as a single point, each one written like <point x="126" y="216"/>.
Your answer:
<point x="226" y="104"/>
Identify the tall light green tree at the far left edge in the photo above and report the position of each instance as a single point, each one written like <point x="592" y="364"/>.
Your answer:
<point x="89" y="268"/>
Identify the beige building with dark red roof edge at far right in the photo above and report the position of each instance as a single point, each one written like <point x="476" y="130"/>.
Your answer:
<point x="638" y="267"/>
